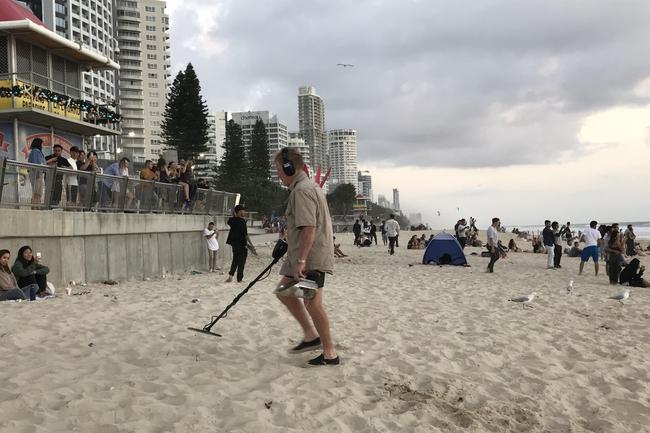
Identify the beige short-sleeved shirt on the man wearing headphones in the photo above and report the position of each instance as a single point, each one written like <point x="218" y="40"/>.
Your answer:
<point x="307" y="207"/>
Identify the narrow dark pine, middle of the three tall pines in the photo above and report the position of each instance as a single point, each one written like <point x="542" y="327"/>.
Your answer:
<point x="232" y="171"/>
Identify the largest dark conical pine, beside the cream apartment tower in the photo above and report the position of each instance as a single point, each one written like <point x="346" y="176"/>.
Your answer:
<point x="185" y="124"/>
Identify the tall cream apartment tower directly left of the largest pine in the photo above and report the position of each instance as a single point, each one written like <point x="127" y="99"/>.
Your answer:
<point x="143" y="36"/>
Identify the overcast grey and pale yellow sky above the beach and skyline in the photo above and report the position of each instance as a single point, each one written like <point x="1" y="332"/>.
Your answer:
<point x="525" y="110"/>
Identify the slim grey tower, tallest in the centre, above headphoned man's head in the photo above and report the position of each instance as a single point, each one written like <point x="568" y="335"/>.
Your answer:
<point x="311" y="123"/>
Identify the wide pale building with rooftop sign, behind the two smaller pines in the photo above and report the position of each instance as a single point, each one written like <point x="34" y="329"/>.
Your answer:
<point x="276" y="131"/>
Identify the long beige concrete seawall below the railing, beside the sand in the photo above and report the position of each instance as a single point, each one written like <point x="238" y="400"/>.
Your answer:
<point x="91" y="247"/>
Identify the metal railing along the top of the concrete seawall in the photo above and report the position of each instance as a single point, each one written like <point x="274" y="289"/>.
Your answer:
<point x="25" y="185"/>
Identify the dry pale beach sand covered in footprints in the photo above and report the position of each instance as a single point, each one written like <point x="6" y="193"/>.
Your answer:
<point x="424" y="349"/>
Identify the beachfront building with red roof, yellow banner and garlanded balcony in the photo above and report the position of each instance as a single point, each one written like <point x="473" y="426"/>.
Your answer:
<point x="41" y="87"/>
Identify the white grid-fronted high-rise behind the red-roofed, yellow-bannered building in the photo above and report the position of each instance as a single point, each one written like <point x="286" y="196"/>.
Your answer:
<point x="90" y="24"/>
